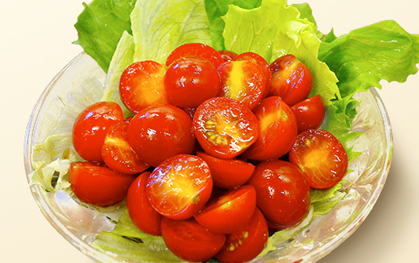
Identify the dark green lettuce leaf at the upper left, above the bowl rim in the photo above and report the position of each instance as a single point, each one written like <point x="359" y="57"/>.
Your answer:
<point x="100" y="26"/>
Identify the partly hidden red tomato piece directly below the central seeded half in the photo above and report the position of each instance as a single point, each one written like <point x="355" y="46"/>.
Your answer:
<point x="230" y="173"/>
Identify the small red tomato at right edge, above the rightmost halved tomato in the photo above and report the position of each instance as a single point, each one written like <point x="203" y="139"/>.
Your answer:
<point x="309" y="113"/>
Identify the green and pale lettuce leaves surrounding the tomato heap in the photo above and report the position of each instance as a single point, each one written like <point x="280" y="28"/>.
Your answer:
<point x="339" y="66"/>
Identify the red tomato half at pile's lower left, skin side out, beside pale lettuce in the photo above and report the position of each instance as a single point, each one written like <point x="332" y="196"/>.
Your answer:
<point x="98" y="185"/>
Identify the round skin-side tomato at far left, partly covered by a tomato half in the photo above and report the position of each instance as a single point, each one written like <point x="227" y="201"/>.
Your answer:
<point x="91" y="126"/>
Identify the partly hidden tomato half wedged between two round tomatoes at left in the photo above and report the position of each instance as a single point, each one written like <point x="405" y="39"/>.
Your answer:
<point x="118" y="154"/>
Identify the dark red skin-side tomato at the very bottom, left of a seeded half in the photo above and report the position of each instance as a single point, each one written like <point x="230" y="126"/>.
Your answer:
<point x="190" y="241"/>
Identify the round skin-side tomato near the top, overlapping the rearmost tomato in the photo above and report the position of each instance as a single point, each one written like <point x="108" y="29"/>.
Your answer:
<point x="189" y="81"/>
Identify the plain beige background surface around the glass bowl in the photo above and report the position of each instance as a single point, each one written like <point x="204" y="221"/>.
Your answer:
<point x="35" y="43"/>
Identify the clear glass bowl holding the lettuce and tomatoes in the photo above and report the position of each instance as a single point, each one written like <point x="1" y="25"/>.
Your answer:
<point x="80" y="225"/>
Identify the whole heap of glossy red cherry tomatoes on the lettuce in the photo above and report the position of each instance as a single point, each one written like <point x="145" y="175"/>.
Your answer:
<point x="220" y="149"/>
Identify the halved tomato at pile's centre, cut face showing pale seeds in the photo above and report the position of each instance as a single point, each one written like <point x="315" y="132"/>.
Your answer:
<point x="225" y="127"/>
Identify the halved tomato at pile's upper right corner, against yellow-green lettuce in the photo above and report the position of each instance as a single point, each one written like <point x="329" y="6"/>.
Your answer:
<point x="291" y="79"/>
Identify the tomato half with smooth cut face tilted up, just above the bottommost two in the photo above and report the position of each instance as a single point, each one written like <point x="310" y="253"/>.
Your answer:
<point x="229" y="212"/>
